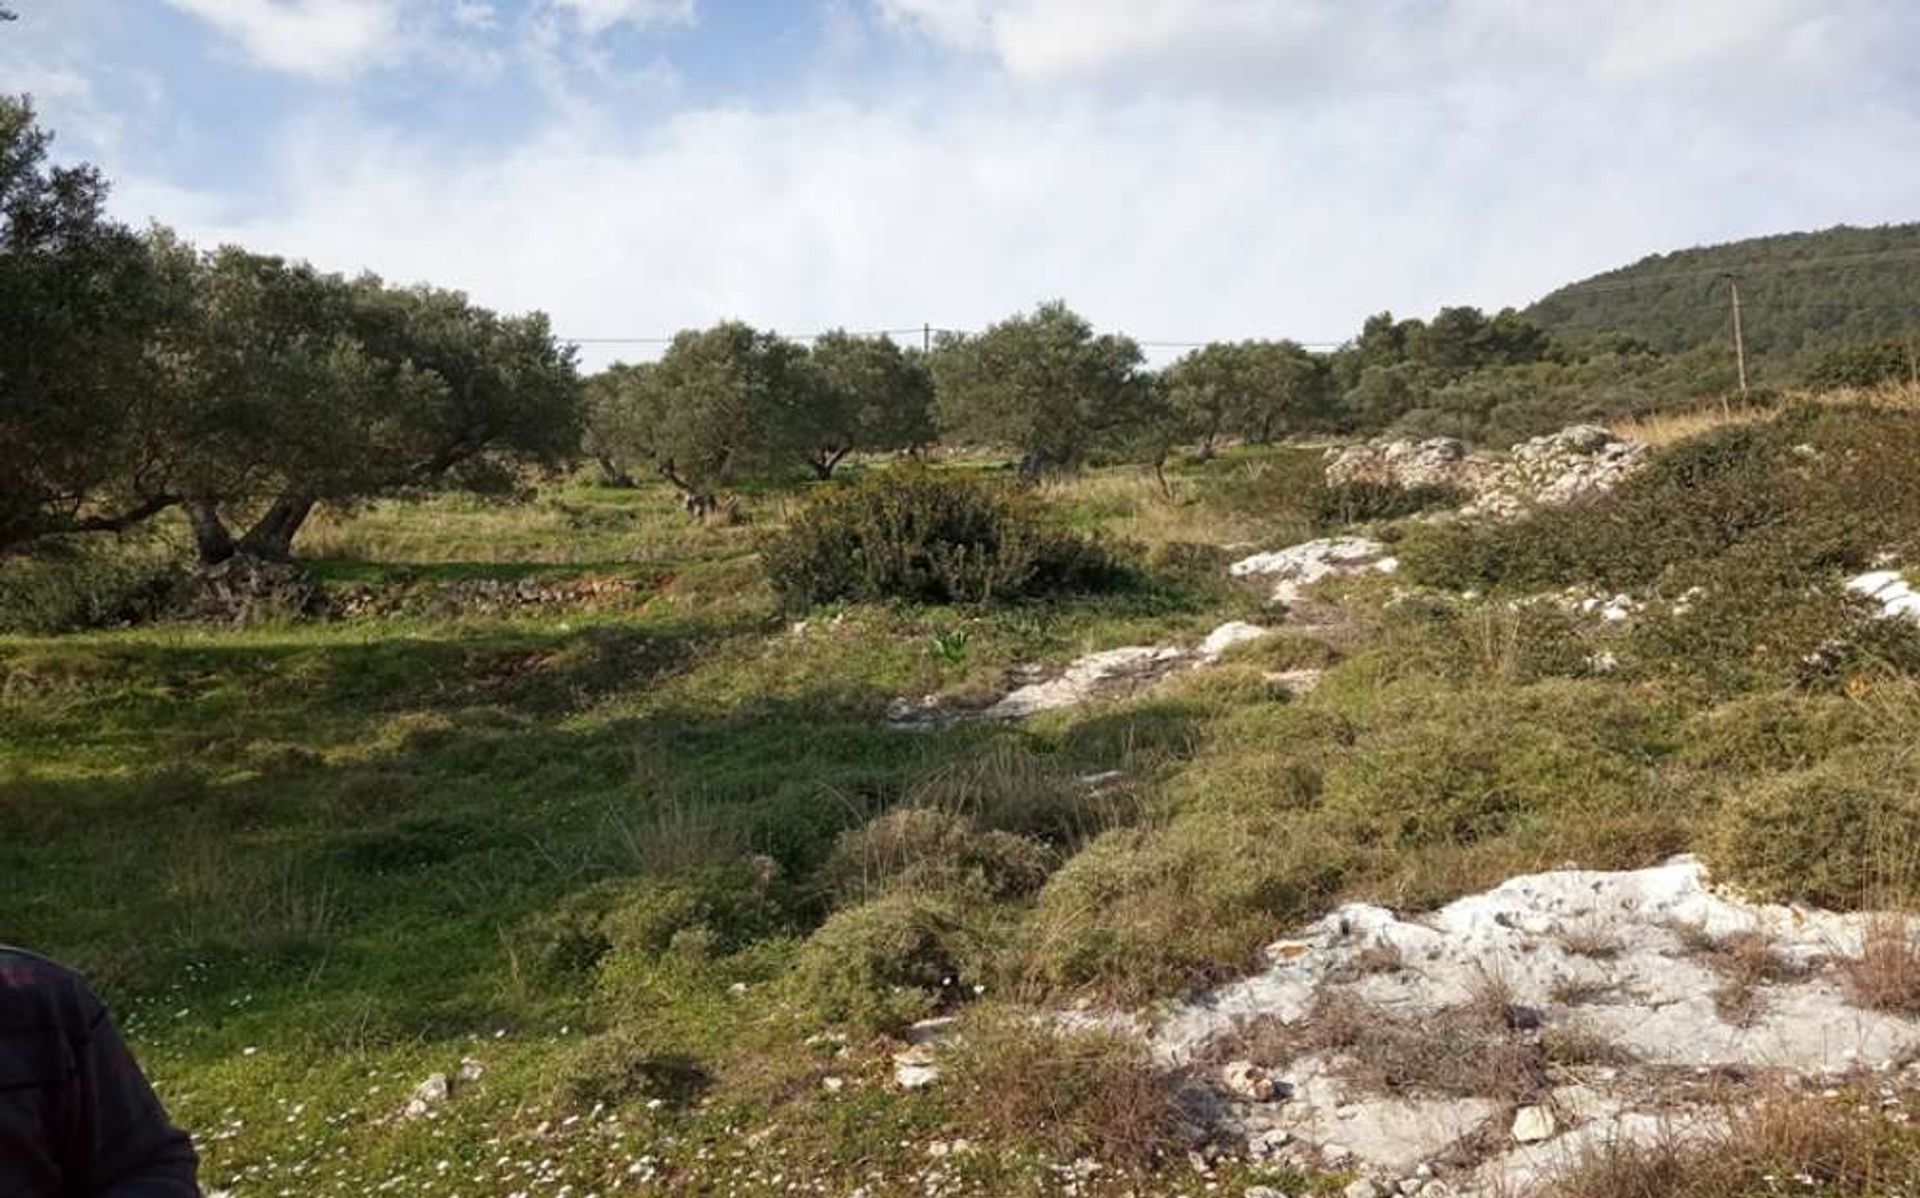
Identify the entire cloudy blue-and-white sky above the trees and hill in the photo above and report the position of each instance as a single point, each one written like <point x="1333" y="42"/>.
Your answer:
<point x="1176" y="170"/>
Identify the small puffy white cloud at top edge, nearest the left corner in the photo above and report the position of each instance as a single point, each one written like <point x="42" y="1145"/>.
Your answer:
<point x="320" y="39"/>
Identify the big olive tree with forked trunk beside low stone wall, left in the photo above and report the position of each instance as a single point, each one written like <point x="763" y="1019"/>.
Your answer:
<point x="306" y="389"/>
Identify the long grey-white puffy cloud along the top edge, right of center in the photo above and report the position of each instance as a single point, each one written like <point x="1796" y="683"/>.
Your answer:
<point x="1303" y="47"/>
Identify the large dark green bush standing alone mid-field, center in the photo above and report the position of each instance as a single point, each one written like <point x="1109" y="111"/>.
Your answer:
<point x="919" y="537"/>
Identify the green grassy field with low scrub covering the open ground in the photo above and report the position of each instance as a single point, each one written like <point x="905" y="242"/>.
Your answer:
<point x="631" y="851"/>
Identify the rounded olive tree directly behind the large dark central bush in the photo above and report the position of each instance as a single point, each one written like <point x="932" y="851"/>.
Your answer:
<point x="1044" y="385"/>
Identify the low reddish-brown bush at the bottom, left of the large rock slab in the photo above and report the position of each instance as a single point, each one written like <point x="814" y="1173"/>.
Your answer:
<point x="1078" y="1093"/>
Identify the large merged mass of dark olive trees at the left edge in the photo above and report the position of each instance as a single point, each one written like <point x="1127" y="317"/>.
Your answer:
<point x="141" y="375"/>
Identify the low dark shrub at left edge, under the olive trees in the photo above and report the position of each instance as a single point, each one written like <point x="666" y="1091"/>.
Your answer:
<point x="89" y="590"/>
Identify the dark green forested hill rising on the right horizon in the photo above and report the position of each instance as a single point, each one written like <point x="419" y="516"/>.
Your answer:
<point x="1802" y="295"/>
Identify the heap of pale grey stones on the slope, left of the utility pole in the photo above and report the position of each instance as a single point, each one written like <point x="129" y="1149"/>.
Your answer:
<point x="1560" y="467"/>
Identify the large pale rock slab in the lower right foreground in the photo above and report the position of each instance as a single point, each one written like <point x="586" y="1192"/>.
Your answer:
<point x="1610" y="1007"/>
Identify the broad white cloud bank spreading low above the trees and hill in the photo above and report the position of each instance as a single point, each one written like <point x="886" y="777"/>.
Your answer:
<point x="1174" y="208"/>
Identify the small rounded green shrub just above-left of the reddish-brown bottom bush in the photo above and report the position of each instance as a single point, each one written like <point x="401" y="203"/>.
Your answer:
<point x="890" y="961"/>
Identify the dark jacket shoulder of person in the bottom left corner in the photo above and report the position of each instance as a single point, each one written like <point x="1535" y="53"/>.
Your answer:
<point x="78" y="1118"/>
